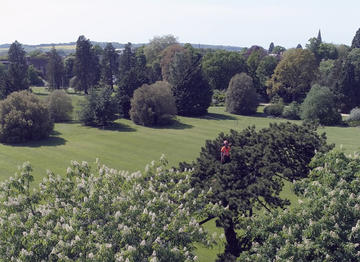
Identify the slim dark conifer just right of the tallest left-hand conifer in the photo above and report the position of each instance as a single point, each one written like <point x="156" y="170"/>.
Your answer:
<point x="109" y="65"/>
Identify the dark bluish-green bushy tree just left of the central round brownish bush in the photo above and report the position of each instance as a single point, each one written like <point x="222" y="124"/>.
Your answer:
<point x="99" y="108"/>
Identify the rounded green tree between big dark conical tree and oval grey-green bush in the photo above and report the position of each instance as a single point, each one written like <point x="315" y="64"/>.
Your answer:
<point x="220" y="66"/>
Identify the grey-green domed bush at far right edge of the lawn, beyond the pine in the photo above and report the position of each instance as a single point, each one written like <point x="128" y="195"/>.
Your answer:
<point x="319" y="105"/>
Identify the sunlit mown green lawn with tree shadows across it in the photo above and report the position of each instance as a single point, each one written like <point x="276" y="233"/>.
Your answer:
<point x="130" y="147"/>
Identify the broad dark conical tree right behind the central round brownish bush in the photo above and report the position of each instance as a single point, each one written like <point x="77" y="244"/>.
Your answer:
<point x="192" y="92"/>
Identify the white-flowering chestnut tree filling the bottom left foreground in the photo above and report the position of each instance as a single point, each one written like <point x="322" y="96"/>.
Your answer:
<point x="106" y="215"/>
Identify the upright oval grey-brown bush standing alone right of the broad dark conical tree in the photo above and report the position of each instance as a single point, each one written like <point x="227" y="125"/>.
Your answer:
<point x="241" y="96"/>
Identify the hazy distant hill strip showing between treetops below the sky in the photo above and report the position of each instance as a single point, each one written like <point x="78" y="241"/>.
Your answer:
<point x="68" y="48"/>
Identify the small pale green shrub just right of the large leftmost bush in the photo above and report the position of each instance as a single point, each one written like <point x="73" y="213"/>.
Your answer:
<point x="60" y="105"/>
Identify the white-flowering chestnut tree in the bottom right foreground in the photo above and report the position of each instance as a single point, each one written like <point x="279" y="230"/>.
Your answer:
<point x="324" y="227"/>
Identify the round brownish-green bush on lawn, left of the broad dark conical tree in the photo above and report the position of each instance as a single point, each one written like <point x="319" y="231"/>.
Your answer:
<point x="153" y="104"/>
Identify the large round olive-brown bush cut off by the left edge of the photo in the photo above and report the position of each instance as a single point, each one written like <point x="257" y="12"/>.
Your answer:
<point x="24" y="117"/>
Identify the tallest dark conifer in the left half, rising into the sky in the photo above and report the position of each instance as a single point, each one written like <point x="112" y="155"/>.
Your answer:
<point x="86" y="64"/>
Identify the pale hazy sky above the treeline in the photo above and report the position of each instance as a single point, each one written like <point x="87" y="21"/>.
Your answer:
<point x="218" y="22"/>
